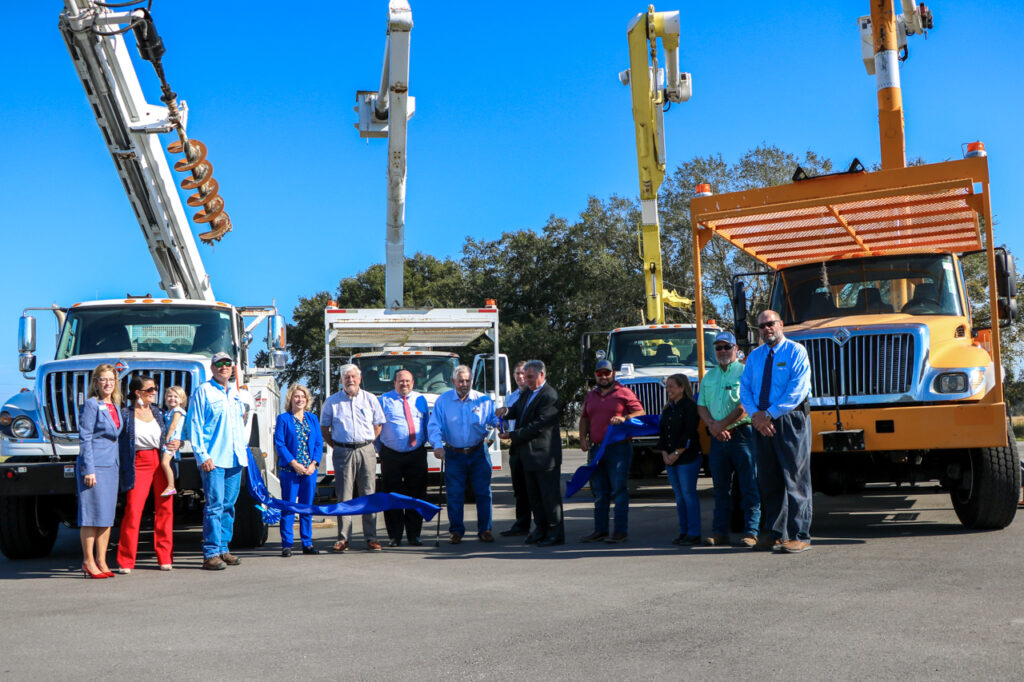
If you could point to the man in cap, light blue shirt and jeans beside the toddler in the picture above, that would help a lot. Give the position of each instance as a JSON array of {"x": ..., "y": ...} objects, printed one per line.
[{"x": 217, "y": 431}]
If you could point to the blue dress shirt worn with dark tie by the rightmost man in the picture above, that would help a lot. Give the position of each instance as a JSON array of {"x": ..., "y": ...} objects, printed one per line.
[{"x": 791, "y": 378}]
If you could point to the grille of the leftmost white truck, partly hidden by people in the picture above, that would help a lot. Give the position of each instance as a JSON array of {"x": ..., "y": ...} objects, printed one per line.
[{"x": 65, "y": 393}]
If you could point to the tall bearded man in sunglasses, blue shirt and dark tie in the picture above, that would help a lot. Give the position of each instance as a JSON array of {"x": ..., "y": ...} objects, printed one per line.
[{"x": 775, "y": 390}]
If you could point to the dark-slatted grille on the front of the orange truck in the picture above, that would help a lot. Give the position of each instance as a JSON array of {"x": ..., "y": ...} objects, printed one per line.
[{"x": 870, "y": 365}]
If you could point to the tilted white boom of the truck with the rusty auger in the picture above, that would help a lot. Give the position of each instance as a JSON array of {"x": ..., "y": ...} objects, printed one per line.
[{"x": 131, "y": 129}]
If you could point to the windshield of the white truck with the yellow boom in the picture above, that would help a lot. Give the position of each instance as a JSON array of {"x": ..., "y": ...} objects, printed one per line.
[{"x": 660, "y": 348}]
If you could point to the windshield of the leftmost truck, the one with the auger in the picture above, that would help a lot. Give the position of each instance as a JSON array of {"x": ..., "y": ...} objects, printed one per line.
[{"x": 153, "y": 329}]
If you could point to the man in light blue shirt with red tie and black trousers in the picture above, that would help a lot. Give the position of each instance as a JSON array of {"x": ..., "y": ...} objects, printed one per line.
[{"x": 404, "y": 455}]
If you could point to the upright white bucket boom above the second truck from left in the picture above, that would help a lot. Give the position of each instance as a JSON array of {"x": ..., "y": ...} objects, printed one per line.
[{"x": 386, "y": 113}]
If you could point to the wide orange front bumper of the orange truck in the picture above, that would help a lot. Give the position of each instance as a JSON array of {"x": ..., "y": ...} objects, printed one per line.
[{"x": 920, "y": 428}]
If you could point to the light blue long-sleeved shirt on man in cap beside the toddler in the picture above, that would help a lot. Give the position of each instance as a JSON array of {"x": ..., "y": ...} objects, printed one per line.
[{"x": 217, "y": 425}]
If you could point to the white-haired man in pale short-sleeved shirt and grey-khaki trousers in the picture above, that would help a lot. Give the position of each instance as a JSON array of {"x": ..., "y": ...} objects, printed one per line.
[{"x": 351, "y": 421}]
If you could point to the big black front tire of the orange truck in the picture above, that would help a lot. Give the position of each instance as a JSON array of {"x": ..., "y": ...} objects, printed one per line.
[{"x": 987, "y": 498}]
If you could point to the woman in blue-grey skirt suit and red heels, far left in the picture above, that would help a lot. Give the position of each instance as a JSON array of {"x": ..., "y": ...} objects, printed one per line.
[{"x": 97, "y": 468}]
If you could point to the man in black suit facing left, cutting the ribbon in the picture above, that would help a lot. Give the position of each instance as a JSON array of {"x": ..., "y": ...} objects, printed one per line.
[{"x": 539, "y": 446}]
